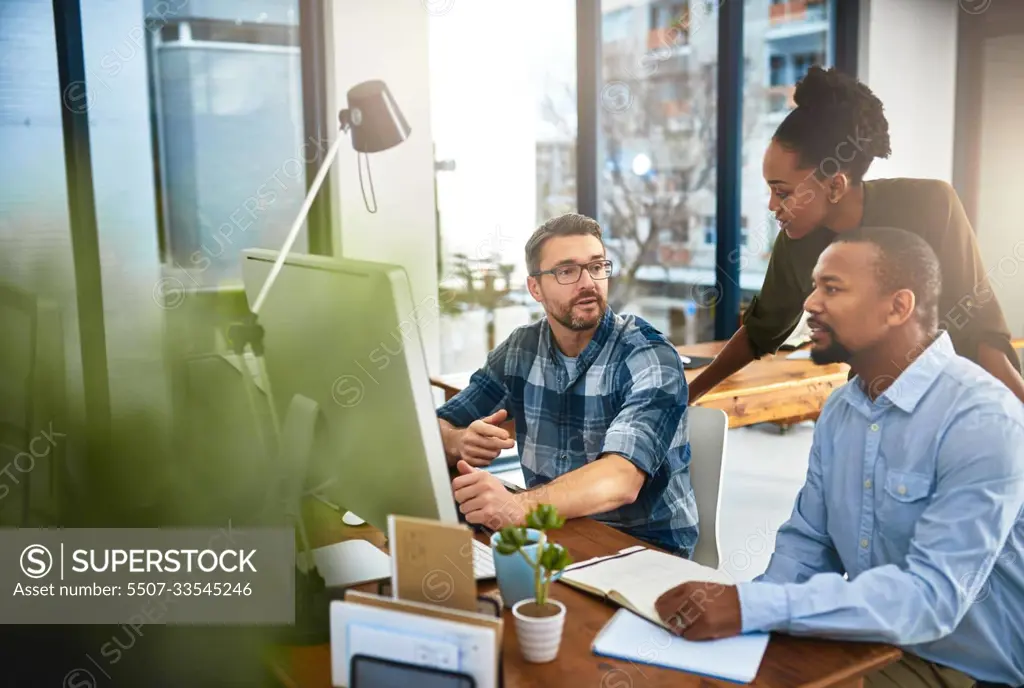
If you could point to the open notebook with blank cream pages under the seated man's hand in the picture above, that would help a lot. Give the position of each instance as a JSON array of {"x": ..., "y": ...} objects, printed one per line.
[{"x": 636, "y": 577}]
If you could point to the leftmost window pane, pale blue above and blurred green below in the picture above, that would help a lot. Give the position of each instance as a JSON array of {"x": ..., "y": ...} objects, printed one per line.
[{"x": 41, "y": 388}]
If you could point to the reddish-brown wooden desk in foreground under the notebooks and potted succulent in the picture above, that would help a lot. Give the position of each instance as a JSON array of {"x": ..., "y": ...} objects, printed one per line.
[{"x": 790, "y": 662}]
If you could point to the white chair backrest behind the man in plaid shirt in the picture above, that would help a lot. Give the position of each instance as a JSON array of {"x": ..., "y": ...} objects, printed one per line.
[{"x": 708, "y": 428}]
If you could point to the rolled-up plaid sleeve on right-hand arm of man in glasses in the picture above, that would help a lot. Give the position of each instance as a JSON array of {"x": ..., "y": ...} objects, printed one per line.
[{"x": 655, "y": 403}]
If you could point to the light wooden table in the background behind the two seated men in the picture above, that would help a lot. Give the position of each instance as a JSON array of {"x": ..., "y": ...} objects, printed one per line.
[{"x": 771, "y": 391}]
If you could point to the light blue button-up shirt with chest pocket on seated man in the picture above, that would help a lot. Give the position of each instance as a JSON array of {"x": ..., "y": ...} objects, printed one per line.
[{"x": 918, "y": 499}]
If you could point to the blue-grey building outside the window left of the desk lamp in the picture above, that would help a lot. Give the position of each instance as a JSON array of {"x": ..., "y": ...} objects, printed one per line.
[{"x": 226, "y": 79}]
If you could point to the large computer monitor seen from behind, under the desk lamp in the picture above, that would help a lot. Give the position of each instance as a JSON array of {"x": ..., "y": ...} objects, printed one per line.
[{"x": 346, "y": 334}]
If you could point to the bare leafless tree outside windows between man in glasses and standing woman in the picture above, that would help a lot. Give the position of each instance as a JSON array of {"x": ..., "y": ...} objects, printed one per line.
[{"x": 671, "y": 115}]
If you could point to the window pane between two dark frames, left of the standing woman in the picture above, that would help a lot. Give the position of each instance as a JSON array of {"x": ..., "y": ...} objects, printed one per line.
[{"x": 657, "y": 154}]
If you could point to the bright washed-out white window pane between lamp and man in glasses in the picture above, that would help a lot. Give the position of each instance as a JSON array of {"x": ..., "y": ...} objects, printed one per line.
[{"x": 505, "y": 143}]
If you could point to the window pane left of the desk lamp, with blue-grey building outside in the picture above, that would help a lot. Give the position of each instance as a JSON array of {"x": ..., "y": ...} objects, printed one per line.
[{"x": 223, "y": 87}]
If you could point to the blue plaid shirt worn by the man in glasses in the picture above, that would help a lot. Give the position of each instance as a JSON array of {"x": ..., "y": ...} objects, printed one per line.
[{"x": 628, "y": 397}]
